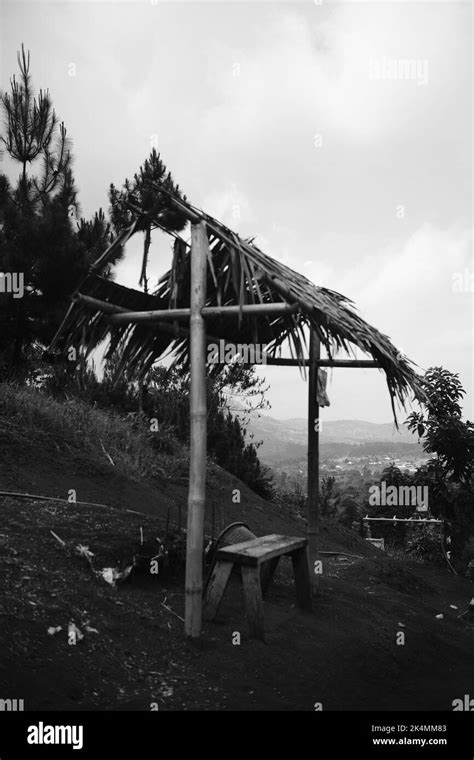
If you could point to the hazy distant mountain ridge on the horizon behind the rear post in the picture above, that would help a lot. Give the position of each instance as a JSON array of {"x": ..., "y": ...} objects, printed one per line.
[{"x": 286, "y": 440}]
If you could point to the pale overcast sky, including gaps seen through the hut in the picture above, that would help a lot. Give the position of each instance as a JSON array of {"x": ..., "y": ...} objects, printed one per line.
[{"x": 297, "y": 122}]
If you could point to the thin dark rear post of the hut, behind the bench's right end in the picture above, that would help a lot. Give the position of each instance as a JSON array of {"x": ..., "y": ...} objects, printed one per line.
[{"x": 313, "y": 460}]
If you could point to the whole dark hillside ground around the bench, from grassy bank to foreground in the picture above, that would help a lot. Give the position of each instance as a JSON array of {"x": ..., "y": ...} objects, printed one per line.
[{"x": 134, "y": 652}]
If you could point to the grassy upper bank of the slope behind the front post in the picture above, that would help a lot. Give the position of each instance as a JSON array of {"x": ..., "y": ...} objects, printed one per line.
[{"x": 39, "y": 455}]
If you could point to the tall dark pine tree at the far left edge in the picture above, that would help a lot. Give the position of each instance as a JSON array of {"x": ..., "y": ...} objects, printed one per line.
[{"x": 37, "y": 240}]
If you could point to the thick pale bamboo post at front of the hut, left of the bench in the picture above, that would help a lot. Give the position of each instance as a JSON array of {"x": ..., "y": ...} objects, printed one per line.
[{"x": 198, "y": 417}]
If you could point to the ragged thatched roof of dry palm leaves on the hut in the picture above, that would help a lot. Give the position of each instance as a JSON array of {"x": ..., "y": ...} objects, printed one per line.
[{"x": 238, "y": 273}]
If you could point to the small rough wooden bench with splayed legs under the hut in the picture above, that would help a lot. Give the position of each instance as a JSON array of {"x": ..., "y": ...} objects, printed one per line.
[{"x": 250, "y": 555}]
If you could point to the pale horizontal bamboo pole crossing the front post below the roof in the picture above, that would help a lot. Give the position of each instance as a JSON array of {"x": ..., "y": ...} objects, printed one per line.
[{"x": 259, "y": 309}]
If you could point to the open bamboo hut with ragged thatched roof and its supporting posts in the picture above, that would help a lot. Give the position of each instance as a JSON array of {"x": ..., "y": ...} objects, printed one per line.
[{"x": 222, "y": 287}]
